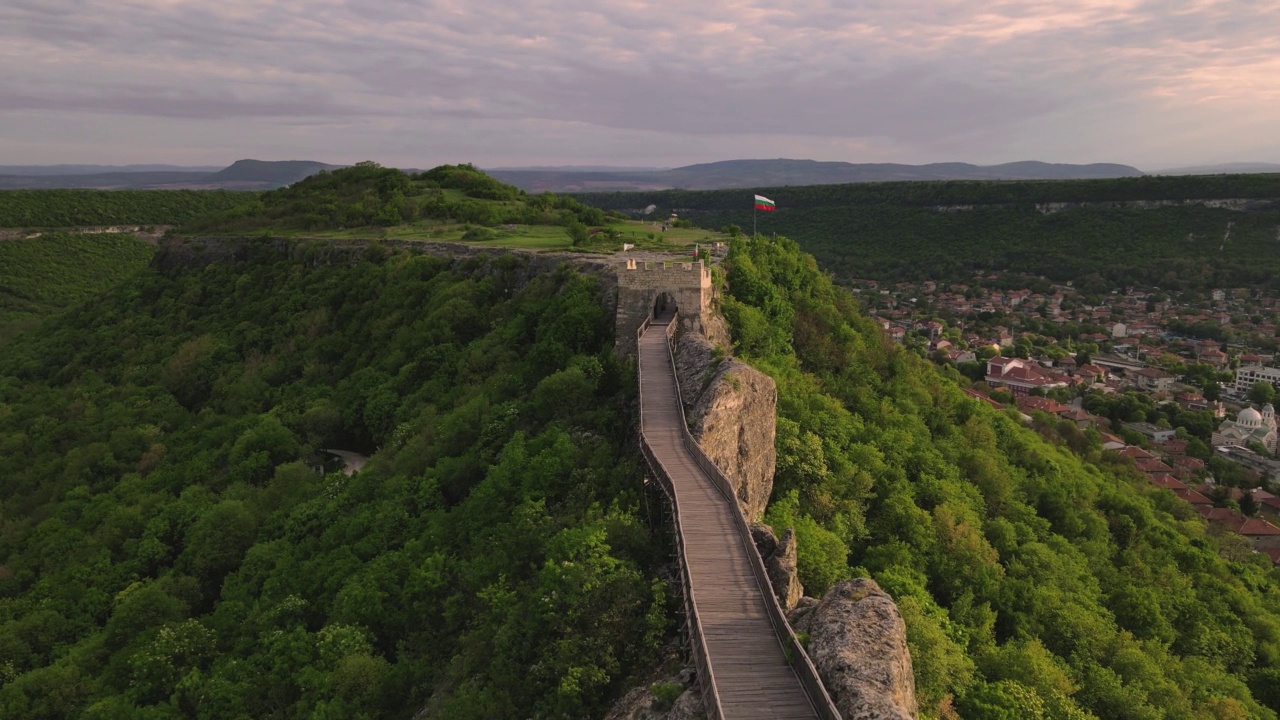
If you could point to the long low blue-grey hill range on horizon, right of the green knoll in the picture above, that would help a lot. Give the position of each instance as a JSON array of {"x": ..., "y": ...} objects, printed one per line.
[{"x": 762, "y": 174}]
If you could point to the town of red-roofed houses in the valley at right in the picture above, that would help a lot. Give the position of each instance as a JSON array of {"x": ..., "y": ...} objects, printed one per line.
[{"x": 1180, "y": 385}]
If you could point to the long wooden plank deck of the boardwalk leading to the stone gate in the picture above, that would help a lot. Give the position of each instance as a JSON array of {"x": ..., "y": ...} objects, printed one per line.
[{"x": 752, "y": 673}]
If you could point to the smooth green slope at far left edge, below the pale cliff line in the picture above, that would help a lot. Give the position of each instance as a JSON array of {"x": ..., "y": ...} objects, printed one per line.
[{"x": 43, "y": 276}]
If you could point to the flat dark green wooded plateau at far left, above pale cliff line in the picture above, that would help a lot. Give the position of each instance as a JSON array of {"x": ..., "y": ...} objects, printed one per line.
[{"x": 80, "y": 208}]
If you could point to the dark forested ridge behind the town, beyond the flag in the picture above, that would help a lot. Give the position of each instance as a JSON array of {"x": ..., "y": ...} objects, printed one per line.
[{"x": 1128, "y": 231}]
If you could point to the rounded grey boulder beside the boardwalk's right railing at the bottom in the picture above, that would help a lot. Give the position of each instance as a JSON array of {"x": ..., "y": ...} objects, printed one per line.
[{"x": 858, "y": 642}]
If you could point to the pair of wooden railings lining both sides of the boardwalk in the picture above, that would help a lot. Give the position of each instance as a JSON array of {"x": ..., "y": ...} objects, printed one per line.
[{"x": 787, "y": 637}]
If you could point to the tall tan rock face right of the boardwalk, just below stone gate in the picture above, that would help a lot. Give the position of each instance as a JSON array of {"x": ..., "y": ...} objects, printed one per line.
[{"x": 732, "y": 412}]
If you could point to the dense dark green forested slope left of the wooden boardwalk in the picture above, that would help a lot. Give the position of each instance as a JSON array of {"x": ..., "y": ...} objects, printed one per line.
[{"x": 170, "y": 552}]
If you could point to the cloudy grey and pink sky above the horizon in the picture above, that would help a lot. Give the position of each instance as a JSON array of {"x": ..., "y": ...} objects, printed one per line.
[{"x": 1154, "y": 84}]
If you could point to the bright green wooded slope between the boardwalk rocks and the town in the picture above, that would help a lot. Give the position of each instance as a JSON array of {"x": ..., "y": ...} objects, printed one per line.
[{"x": 1035, "y": 582}]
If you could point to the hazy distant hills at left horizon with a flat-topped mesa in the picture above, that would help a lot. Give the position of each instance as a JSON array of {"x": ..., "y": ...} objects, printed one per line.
[{"x": 243, "y": 175}]
